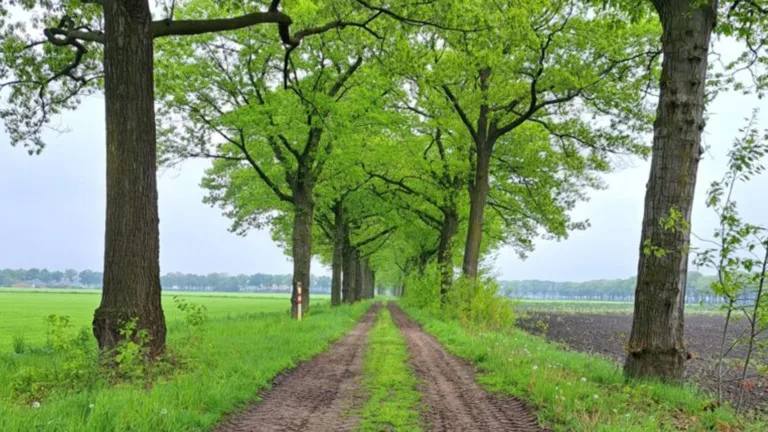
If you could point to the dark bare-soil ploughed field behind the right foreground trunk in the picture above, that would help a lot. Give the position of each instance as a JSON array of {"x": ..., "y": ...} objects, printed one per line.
[{"x": 608, "y": 334}]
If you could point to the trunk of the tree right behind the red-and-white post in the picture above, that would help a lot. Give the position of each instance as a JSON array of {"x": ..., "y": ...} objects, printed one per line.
[{"x": 302, "y": 246}]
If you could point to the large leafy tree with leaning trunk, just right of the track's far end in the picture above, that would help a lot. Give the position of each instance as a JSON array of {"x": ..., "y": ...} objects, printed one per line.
[{"x": 545, "y": 69}]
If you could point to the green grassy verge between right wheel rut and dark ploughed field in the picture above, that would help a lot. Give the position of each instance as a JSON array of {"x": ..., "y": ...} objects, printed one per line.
[{"x": 577, "y": 392}]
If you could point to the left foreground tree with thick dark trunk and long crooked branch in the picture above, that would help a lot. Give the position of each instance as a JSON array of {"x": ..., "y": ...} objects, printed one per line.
[{"x": 109, "y": 44}]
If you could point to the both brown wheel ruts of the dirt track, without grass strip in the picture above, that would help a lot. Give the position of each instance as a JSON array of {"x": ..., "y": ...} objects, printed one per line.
[{"x": 322, "y": 395}]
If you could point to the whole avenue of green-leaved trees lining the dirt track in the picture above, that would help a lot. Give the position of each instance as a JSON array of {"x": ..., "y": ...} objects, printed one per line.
[{"x": 384, "y": 137}]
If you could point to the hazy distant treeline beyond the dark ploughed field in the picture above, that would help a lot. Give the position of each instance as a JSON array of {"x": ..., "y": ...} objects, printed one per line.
[{"x": 698, "y": 289}]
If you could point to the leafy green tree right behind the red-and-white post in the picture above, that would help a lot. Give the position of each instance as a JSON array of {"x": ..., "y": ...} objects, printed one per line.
[{"x": 270, "y": 145}]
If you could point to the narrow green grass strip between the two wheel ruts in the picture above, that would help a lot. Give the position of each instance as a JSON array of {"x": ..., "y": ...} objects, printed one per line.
[{"x": 394, "y": 401}]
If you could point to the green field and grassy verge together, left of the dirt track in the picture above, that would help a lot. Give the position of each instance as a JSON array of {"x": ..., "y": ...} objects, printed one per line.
[{"x": 215, "y": 369}]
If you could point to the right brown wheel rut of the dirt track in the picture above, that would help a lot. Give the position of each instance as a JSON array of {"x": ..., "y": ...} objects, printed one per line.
[{"x": 453, "y": 400}]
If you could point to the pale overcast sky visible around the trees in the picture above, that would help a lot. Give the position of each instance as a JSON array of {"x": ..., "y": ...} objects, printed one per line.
[{"x": 52, "y": 210}]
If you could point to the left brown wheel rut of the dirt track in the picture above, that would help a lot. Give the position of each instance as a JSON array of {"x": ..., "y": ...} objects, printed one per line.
[{"x": 320, "y": 395}]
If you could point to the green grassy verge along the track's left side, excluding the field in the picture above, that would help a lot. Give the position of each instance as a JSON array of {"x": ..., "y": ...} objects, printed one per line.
[{"x": 239, "y": 356}]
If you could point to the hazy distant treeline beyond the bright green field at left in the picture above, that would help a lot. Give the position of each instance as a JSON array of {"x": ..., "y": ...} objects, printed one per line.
[{"x": 44, "y": 278}]
